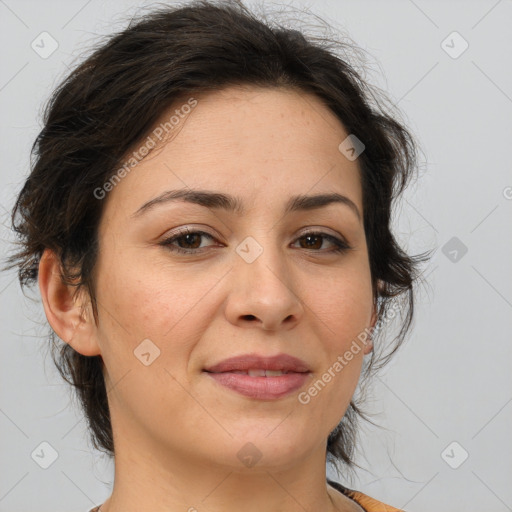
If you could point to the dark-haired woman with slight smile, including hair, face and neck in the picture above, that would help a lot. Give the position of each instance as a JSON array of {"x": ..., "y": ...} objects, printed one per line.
[{"x": 208, "y": 220}]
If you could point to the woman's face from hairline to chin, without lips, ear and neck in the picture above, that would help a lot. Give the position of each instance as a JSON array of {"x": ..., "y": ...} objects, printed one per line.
[{"x": 253, "y": 284}]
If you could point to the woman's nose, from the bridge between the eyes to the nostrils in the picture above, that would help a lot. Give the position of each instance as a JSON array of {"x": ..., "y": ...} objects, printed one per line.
[{"x": 264, "y": 293}]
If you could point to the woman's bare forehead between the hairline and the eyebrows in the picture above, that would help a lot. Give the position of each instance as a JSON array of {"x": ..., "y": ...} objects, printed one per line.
[{"x": 256, "y": 143}]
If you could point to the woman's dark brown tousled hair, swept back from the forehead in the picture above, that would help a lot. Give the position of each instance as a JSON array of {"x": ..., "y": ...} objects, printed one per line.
[{"x": 112, "y": 100}]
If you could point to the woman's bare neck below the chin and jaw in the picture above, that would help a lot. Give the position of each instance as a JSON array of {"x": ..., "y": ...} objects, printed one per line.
[{"x": 153, "y": 480}]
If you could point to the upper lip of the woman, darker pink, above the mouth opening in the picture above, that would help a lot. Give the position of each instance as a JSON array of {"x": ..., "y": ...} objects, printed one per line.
[{"x": 283, "y": 362}]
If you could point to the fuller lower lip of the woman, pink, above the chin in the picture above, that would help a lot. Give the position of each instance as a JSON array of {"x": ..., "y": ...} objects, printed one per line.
[{"x": 262, "y": 388}]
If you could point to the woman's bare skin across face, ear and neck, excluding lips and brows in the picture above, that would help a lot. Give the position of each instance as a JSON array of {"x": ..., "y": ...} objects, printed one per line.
[{"x": 177, "y": 432}]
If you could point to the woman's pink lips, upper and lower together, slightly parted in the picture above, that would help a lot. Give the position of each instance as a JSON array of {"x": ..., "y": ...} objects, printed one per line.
[{"x": 262, "y": 388}]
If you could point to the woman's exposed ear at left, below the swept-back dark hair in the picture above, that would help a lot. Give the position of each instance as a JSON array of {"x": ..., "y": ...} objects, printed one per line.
[{"x": 69, "y": 313}]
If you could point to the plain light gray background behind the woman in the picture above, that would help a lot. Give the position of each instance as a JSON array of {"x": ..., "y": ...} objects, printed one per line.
[{"x": 450, "y": 382}]
